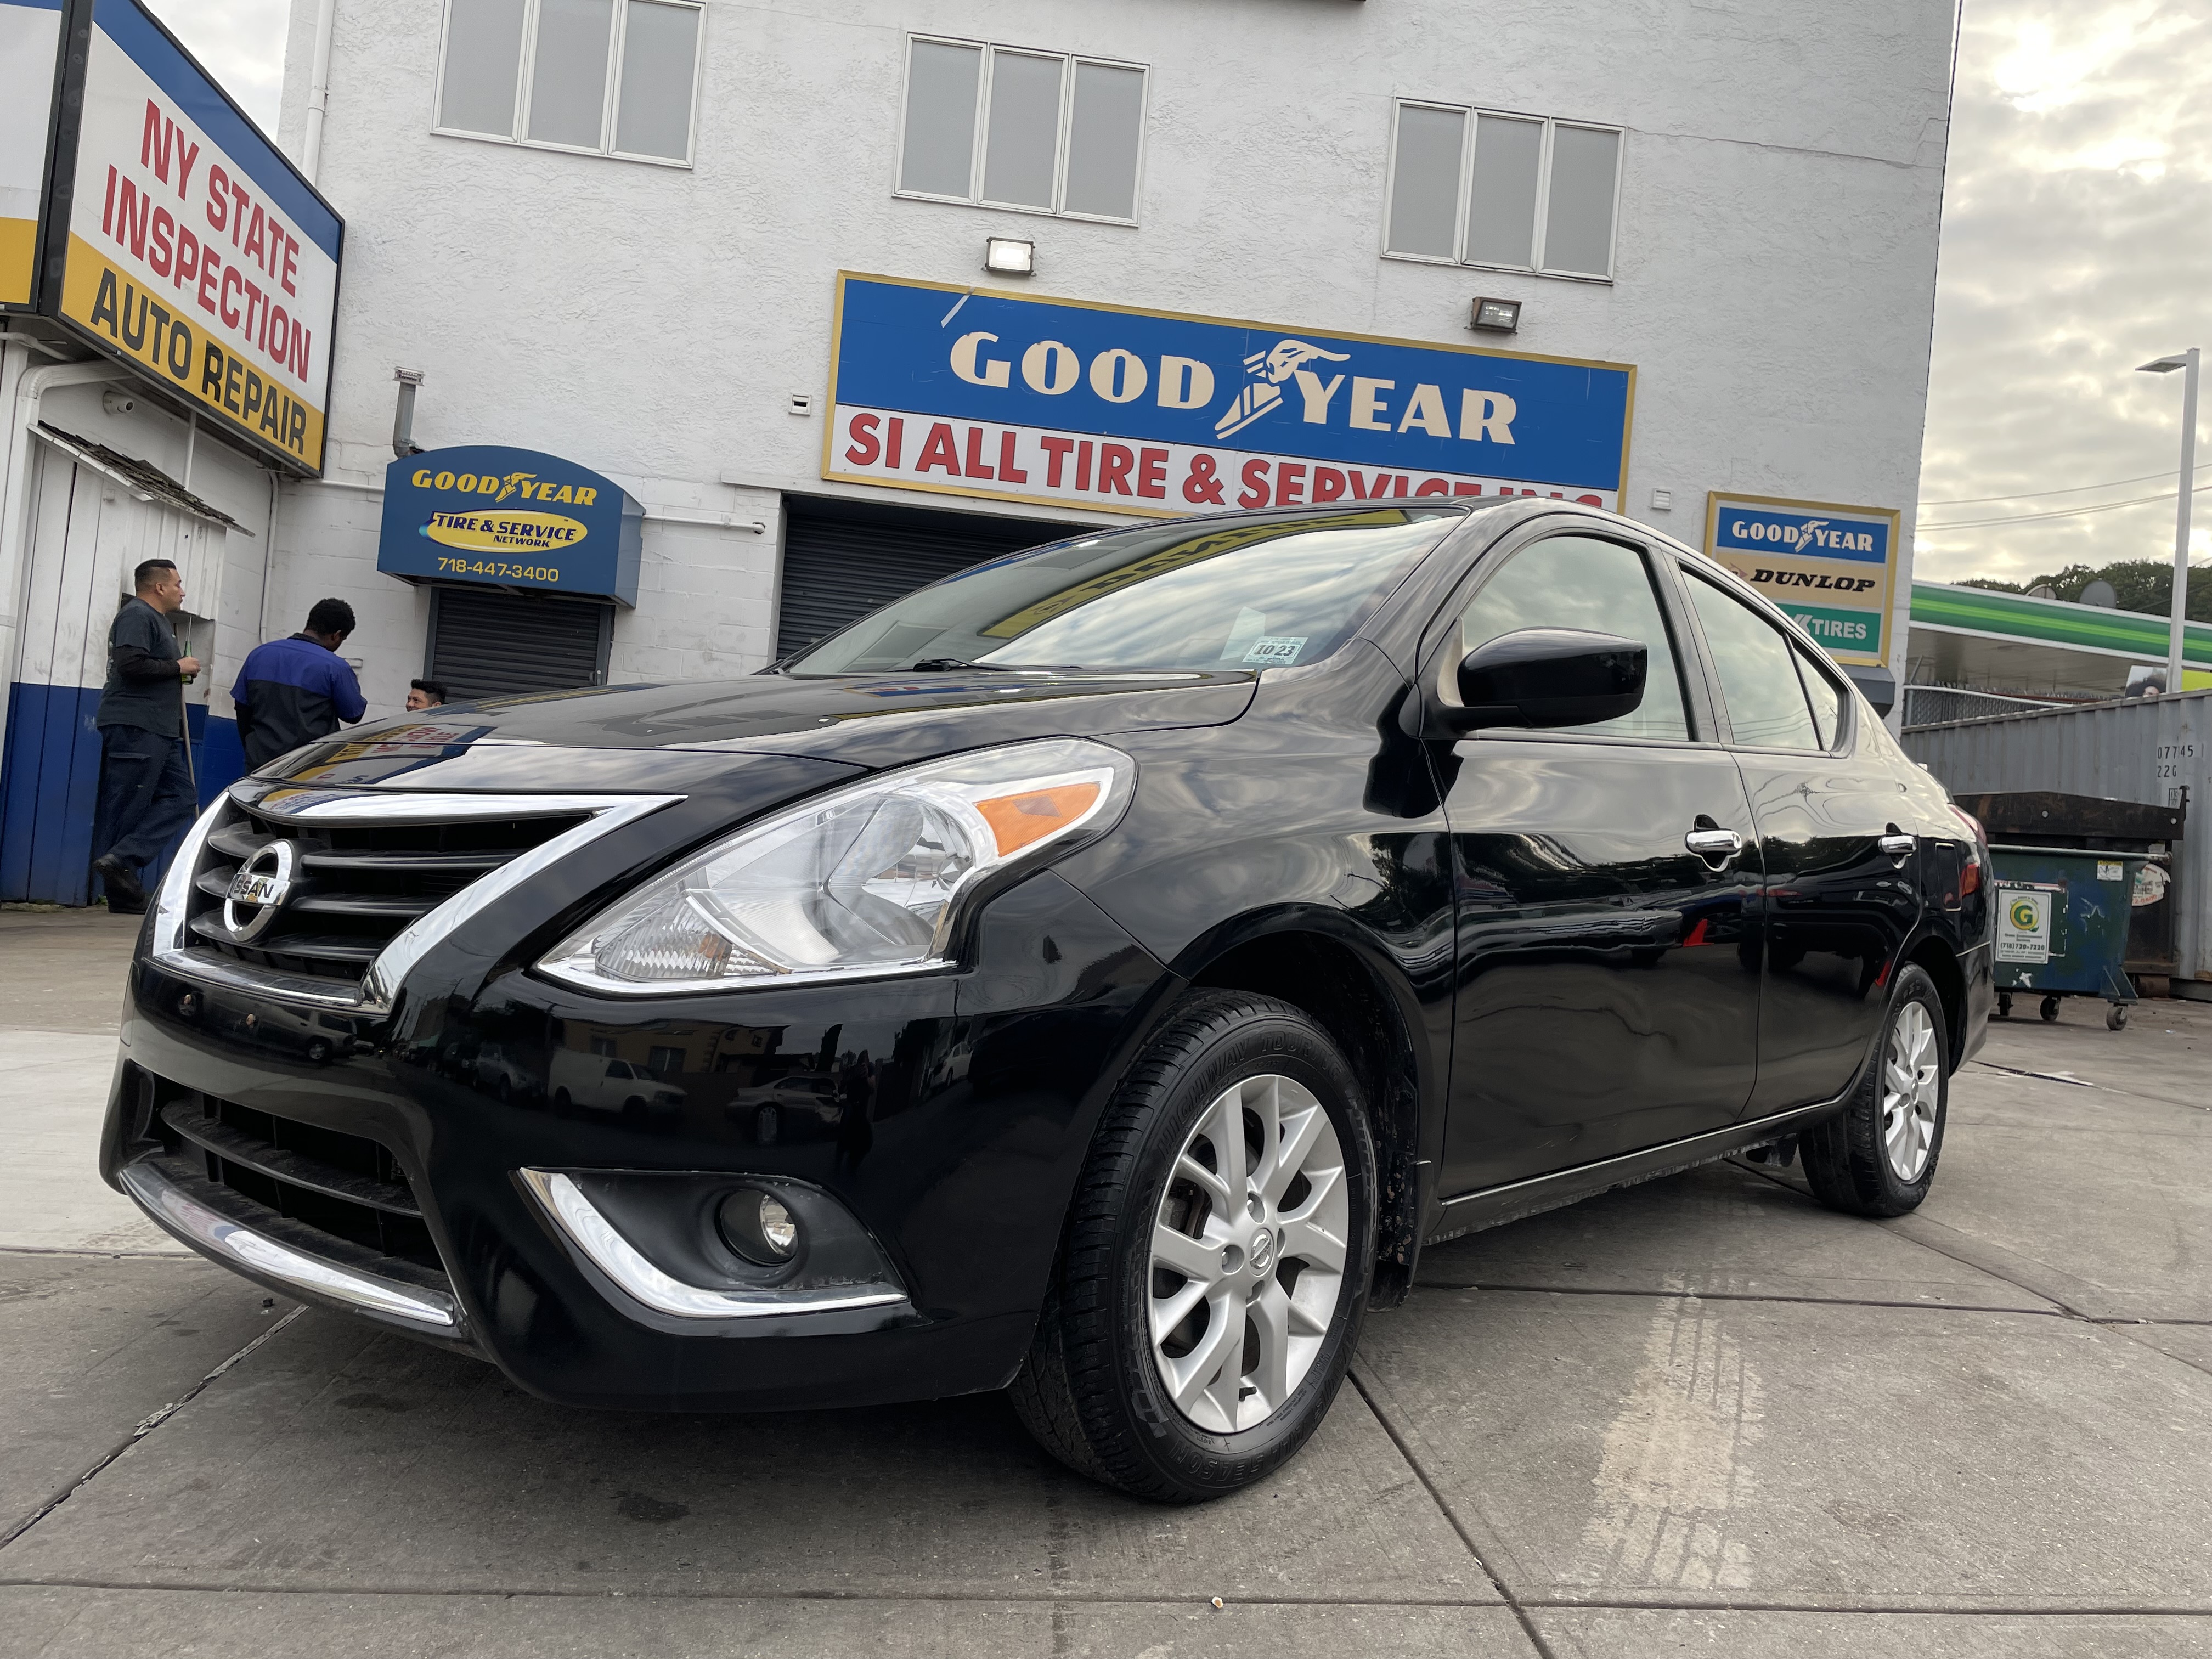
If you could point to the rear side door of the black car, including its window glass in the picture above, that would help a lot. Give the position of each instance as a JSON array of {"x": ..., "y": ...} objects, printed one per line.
[{"x": 1839, "y": 893}]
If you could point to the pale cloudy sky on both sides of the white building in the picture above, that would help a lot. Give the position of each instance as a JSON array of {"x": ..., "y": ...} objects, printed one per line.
[{"x": 2078, "y": 242}]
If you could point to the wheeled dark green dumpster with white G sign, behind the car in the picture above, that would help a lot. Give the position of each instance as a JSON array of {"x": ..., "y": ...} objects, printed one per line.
[{"x": 2063, "y": 926}]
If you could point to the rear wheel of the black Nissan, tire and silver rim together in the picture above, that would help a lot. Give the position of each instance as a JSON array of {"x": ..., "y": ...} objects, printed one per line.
[{"x": 1864, "y": 1160}]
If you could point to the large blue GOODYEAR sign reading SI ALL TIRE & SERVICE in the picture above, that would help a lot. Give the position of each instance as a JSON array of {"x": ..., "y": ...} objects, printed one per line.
[{"x": 1061, "y": 401}]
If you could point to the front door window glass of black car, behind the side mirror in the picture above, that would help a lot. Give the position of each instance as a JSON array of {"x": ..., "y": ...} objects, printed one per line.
[{"x": 1583, "y": 583}]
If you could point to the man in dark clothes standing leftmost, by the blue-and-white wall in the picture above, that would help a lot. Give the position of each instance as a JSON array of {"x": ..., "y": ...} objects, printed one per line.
[{"x": 145, "y": 773}]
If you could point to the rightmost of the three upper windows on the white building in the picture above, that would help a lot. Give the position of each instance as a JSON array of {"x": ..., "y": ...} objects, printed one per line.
[{"x": 1510, "y": 191}]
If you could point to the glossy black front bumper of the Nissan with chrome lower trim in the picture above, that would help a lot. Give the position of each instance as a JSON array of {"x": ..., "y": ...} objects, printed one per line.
[{"x": 948, "y": 1116}]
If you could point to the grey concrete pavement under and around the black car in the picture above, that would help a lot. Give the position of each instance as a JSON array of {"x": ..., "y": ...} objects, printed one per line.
[{"x": 1693, "y": 1417}]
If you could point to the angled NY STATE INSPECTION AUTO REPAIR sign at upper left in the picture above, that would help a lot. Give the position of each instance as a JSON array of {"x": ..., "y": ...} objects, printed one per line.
[{"x": 182, "y": 242}]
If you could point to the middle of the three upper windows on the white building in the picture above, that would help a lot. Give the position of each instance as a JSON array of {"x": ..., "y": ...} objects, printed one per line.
[{"x": 1005, "y": 127}]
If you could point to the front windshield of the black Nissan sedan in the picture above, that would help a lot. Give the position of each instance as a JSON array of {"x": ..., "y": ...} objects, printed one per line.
[{"x": 1269, "y": 594}]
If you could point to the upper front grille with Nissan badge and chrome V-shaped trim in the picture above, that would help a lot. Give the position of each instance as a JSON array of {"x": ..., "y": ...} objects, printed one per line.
[{"x": 371, "y": 879}]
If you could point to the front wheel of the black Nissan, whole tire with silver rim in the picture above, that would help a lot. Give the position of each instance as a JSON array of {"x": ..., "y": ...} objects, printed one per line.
[{"x": 1096, "y": 1390}]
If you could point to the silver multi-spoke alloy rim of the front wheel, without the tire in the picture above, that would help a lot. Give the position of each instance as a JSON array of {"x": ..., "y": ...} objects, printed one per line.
[{"x": 1249, "y": 1253}]
